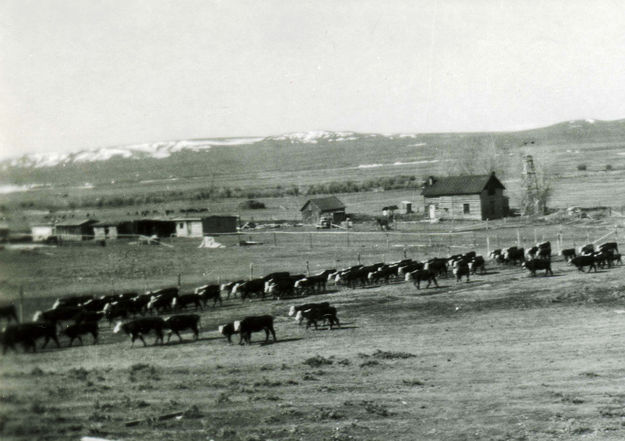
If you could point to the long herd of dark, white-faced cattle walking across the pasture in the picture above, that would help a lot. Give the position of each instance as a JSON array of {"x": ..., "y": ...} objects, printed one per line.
[{"x": 138, "y": 314}]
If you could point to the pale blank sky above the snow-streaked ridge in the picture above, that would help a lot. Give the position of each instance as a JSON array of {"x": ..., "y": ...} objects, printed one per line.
[{"x": 78, "y": 74}]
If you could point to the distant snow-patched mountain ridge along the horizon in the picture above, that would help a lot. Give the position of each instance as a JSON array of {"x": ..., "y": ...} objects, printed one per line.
[{"x": 290, "y": 151}]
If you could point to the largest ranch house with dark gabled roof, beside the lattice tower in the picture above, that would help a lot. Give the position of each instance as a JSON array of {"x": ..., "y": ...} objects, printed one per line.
[{"x": 465, "y": 197}]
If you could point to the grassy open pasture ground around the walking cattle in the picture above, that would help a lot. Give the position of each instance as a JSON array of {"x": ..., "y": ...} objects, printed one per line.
[{"x": 505, "y": 356}]
